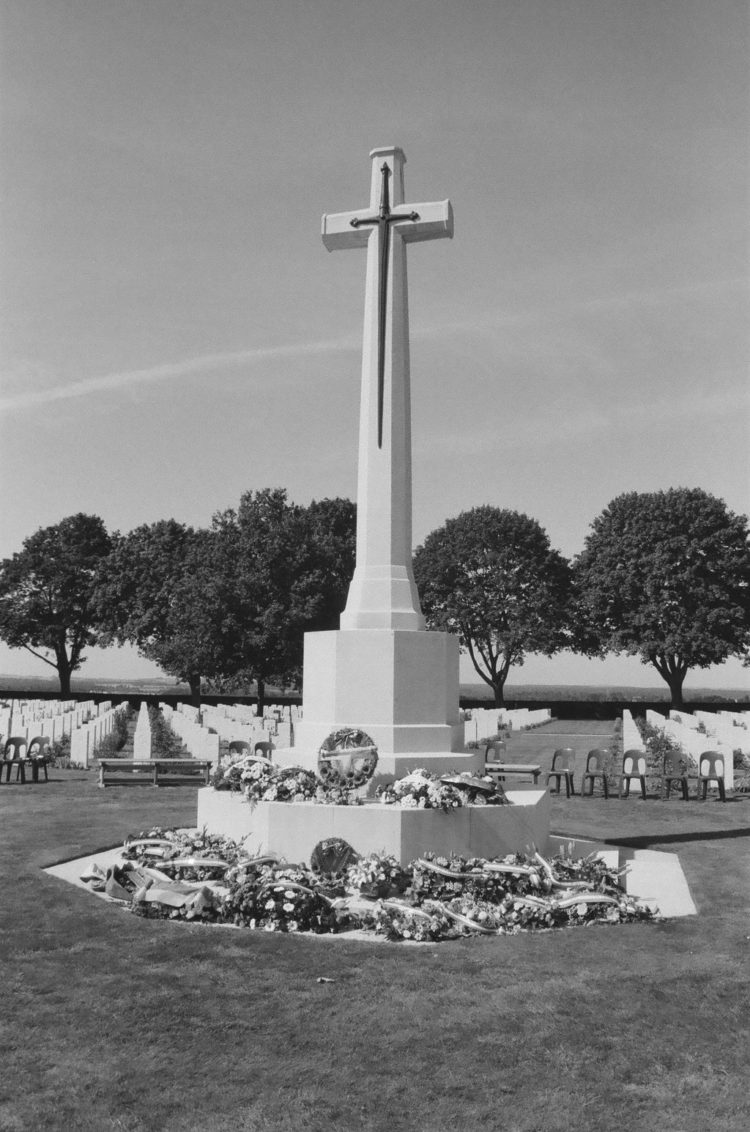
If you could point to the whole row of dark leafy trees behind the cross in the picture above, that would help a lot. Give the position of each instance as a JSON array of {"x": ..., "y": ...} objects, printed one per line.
[{"x": 663, "y": 576}]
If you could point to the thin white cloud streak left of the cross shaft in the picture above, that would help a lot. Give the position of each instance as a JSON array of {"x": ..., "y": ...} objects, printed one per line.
[{"x": 127, "y": 380}]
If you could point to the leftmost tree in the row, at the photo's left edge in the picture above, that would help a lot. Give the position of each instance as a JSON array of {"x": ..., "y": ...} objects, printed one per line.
[{"x": 46, "y": 594}]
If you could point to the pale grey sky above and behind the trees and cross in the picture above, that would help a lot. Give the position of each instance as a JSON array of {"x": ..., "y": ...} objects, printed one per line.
[{"x": 175, "y": 333}]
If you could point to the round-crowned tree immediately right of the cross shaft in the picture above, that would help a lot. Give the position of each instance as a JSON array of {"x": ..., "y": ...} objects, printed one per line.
[{"x": 492, "y": 577}]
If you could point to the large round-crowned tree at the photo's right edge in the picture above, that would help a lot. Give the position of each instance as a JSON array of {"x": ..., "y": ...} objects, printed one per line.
[{"x": 666, "y": 577}]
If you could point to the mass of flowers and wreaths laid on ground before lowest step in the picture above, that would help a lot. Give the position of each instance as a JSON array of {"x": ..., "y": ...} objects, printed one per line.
[{"x": 187, "y": 874}]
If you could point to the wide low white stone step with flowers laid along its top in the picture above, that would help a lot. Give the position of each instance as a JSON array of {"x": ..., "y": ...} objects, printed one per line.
[{"x": 292, "y": 830}]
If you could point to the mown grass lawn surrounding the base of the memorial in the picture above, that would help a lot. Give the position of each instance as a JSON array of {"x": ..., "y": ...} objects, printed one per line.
[{"x": 117, "y": 1023}]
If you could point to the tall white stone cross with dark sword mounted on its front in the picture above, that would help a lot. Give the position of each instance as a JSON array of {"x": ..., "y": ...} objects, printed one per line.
[{"x": 383, "y": 595}]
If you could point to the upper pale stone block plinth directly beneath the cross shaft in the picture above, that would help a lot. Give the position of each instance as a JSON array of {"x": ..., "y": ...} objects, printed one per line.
[{"x": 398, "y": 685}]
